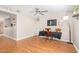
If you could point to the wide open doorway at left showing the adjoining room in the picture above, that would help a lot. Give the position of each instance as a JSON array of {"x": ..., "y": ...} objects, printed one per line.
[{"x": 7, "y": 24}]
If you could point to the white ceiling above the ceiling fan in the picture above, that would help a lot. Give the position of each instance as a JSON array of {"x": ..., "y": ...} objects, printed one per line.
[{"x": 30, "y": 8}]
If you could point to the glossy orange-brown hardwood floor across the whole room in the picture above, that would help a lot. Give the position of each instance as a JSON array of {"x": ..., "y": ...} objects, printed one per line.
[{"x": 35, "y": 45}]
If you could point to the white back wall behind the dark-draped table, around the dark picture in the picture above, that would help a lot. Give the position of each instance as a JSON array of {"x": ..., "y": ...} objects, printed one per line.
[{"x": 43, "y": 23}]
